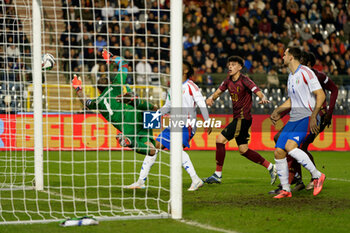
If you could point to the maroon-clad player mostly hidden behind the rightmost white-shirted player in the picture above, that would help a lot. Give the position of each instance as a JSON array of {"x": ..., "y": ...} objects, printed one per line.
[{"x": 295, "y": 176}]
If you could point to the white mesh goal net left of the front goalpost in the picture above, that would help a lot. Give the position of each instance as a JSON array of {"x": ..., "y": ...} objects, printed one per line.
[{"x": 84, "y": 168}]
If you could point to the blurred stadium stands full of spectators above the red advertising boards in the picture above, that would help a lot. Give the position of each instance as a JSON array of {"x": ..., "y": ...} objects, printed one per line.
[{"x": 75, "y": 32}]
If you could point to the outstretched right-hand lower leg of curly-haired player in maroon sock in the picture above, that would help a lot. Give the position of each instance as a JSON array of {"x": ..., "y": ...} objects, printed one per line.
[{"x": 257, "y": 158}]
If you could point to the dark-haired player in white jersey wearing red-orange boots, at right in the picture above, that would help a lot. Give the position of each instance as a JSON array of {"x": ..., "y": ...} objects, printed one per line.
[{"x": 305, "y": 100}]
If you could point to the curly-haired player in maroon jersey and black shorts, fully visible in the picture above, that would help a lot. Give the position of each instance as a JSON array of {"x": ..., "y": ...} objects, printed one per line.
[{"x": 241, "y": 88}]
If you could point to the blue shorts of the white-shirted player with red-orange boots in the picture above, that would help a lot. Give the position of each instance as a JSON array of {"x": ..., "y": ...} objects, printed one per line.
[{"x": 294, "y": 130}]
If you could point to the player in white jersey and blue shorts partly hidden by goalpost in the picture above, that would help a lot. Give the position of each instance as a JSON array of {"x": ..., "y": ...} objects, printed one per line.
[{"x": 191, "y": 98}]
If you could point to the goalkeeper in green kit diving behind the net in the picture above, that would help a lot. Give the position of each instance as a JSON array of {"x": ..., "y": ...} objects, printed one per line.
[{"x": 119, "y": 106}]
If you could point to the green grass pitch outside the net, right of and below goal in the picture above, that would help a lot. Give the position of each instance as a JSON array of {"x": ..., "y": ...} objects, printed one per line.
[{"x": 241, "y": 202}]
